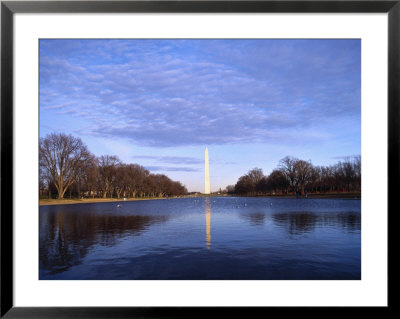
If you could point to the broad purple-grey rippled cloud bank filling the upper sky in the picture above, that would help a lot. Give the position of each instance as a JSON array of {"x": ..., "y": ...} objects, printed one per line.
[{"x": 196, "y": 92}]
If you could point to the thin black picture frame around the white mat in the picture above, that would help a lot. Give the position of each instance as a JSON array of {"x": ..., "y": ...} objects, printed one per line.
[{"x": 9, "y": 8}]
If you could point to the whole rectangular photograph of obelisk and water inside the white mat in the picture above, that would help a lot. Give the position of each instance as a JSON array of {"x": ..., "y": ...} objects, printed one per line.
[{"x": 199, "y": 159}]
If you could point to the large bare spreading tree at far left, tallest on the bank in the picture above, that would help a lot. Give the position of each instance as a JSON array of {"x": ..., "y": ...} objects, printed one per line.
[{"x": 62, "y": 157}]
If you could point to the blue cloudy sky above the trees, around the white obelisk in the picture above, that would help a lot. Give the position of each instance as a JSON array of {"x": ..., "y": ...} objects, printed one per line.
[{"x": 159, "y": 103}]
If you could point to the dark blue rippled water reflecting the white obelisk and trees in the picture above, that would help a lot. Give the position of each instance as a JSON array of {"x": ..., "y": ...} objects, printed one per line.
[{"x": 202, "y": 238}]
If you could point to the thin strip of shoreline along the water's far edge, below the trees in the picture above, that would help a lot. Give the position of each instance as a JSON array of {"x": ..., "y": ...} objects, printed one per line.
[{"x": 69, "y": 201}]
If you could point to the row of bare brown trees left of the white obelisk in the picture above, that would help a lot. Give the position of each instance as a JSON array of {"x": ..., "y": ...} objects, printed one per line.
[{"x": 67, "y": 167}]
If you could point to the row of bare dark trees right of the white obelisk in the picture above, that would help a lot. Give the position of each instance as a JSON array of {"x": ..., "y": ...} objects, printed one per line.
[{"x": 298, "y": 176}]
